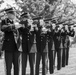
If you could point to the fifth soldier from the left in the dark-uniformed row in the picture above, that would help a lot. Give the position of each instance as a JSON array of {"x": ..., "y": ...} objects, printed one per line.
[{"x": 57, "y": 47}]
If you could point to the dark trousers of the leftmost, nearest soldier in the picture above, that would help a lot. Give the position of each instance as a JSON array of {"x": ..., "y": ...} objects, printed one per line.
[{"x": 12, "y": 58}]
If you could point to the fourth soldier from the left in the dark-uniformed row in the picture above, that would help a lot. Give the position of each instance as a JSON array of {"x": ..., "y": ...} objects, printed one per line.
[{"x": 51, "y": 48}]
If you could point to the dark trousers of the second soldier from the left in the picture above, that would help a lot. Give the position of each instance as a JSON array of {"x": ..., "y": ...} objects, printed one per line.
[{"x": 24, "y": 63}]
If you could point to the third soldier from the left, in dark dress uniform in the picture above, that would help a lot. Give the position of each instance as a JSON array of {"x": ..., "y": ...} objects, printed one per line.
[{"x": 41, "y": 44}]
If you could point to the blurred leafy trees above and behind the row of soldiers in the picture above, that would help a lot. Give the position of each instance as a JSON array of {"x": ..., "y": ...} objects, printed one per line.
[{"x": 61, "y": 10}]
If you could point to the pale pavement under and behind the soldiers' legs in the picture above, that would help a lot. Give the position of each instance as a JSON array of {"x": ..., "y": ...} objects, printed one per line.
[{"x": 68, "y": 70}]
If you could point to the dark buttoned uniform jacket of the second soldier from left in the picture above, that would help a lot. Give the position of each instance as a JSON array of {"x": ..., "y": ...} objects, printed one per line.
[{"x": 28, "y": 40}]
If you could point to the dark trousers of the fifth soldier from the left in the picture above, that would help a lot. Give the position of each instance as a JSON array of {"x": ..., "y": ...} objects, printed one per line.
[{"x": 58, "y": 51}]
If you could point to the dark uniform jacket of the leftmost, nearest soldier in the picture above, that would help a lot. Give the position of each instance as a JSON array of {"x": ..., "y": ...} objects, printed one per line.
[{"x": 9, "y": 41}]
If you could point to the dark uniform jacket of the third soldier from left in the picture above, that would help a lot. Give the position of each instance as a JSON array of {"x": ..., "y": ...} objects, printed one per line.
[{"x": 41, "y": 42}]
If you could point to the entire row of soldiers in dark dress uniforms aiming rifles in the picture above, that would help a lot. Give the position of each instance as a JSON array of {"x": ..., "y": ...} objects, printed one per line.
[{"x": 37, "y": 38}]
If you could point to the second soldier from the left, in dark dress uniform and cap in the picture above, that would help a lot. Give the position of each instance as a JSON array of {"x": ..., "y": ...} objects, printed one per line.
[{"x": 28, "y": 44}]
